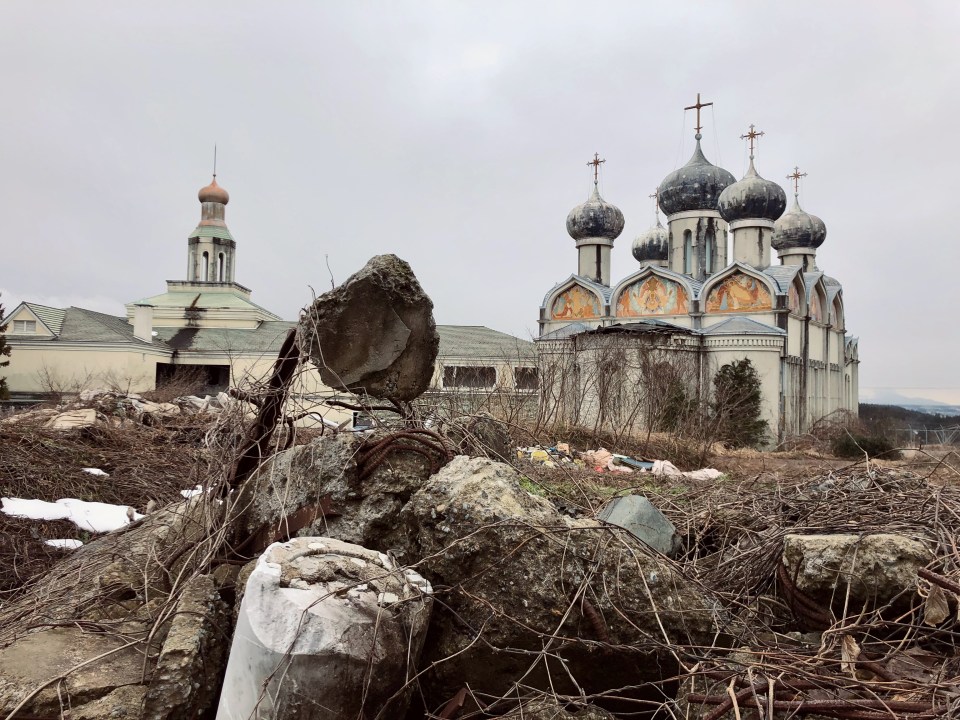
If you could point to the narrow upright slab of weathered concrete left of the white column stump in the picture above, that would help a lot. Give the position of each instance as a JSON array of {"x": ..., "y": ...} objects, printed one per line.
[{"x": 187, "y": 677}]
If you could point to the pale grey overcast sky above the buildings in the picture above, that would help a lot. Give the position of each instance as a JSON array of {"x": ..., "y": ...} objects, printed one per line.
[{"x": 457, "y": 134}]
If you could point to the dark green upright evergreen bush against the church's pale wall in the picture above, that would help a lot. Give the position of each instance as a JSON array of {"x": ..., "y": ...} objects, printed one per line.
[{"x": 737, "y": 405}]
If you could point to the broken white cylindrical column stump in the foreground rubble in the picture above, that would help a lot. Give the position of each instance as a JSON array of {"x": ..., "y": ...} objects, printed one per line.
[{"x": 326, "y": 630}]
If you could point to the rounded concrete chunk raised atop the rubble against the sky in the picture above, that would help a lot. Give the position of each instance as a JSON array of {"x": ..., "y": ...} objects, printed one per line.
[{"x": 375, "y": 334}]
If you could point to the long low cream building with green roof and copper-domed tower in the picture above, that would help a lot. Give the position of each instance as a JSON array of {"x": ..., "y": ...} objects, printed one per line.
[{"x": 208, "y": 326}]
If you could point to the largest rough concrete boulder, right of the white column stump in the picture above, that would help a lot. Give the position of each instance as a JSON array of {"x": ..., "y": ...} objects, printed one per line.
[{"x": 527, "y": 586}]
